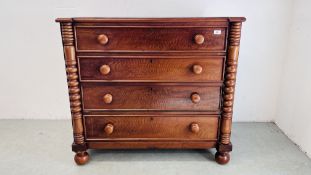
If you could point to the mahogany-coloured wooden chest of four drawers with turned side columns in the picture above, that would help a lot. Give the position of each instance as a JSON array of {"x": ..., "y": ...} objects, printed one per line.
[{"x": 139, "y": 83}]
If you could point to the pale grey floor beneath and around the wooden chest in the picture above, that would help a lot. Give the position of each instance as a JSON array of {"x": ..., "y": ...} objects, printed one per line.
[{"x": 43, "y": 147}]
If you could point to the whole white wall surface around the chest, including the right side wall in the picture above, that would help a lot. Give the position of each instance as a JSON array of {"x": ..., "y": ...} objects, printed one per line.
[{"x": 273, "y": 78}]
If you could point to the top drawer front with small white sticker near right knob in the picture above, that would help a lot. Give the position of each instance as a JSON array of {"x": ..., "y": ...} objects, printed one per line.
[{"x": 104, "y": 39}]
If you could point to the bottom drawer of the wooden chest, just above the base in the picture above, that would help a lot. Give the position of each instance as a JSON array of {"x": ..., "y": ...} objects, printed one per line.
[{"x": 151, "y": 127}]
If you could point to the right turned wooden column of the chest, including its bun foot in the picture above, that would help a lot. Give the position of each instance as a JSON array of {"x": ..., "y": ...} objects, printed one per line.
[{"x": 224, "y": 145}]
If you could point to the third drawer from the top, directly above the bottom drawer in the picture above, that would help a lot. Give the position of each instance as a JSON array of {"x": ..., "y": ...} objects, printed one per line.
[{"x": 97, "y": 96}]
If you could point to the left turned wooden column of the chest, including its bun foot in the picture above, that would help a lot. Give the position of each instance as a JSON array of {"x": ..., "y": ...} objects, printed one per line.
[{"x": 78, "y": 145}]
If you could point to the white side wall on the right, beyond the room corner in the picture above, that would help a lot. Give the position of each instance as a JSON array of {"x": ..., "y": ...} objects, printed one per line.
[{"x": 293, "y": 111}]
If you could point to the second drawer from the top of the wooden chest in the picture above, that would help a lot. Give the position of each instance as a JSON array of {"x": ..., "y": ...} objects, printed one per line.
[{"x": 167, "y": 69}]
